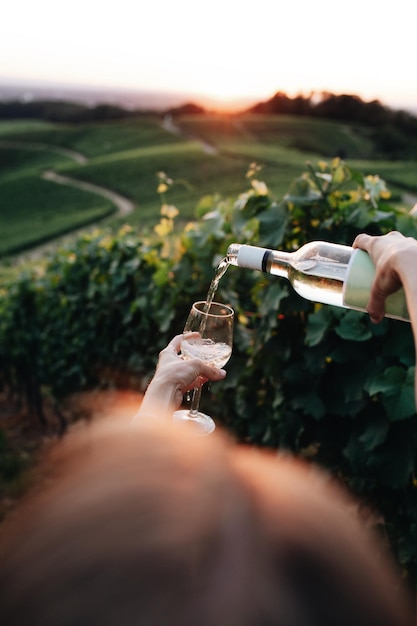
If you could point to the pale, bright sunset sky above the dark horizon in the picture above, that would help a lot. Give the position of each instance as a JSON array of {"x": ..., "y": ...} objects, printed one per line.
[{"x": 227, "y": 50}]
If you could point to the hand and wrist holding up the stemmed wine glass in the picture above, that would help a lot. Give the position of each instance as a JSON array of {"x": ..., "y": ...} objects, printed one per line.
[{"x": 173, "y": 377}]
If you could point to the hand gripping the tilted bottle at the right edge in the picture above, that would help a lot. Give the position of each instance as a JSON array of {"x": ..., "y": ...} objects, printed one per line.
[{"x": 395, "y": 260}]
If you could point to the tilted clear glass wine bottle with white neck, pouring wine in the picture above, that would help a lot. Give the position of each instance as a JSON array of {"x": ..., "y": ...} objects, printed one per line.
[{"x": 324, "y": 272}]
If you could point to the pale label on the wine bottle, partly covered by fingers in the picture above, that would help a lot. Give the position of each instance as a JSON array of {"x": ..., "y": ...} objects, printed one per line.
[{"x": 357, "y": 287}]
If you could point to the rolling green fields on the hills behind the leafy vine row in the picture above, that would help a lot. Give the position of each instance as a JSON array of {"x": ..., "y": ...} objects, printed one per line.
[{"x": 125, "y": 156}]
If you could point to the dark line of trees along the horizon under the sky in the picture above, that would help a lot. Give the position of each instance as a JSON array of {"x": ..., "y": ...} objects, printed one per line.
[{"x": 394, "y": 132}]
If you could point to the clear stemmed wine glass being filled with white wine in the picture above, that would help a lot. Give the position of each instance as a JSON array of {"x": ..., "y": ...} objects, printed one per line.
[{"x": 214, "y": 324}]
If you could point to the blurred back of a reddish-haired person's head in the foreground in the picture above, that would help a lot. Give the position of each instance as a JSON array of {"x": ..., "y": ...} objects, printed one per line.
[{"x": 149, "y": 525}]
